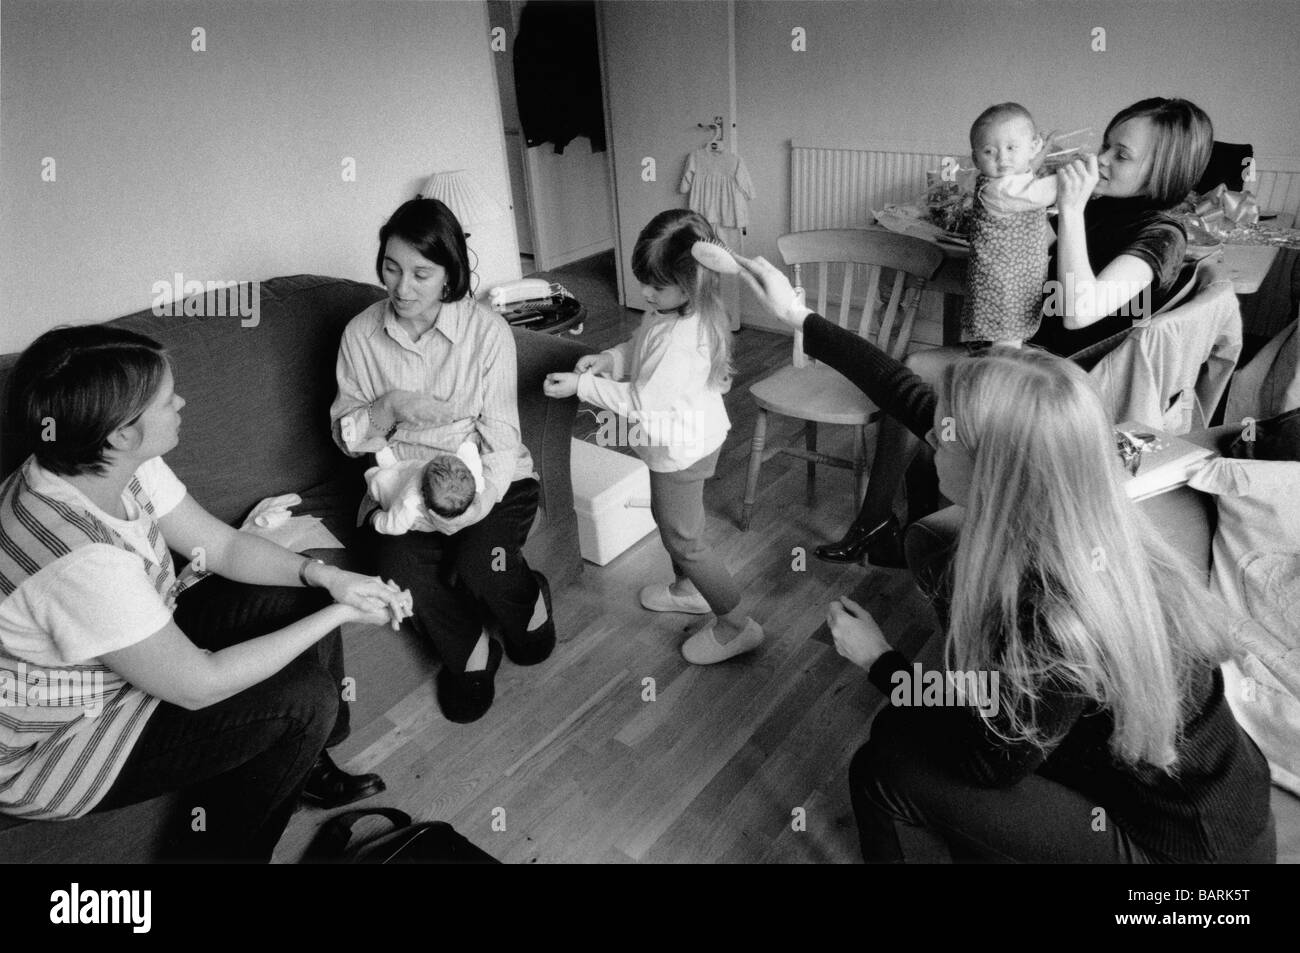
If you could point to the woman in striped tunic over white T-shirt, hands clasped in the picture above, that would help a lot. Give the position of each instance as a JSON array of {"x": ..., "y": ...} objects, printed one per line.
[{"x": 228, "y": 691}]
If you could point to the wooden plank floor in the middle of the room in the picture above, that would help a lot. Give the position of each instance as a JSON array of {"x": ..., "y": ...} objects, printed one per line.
[{"x": 616, "y": 750}]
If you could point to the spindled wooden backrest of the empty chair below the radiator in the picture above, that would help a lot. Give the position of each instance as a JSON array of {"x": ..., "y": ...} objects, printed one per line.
[{"x": 890, "y": 304}]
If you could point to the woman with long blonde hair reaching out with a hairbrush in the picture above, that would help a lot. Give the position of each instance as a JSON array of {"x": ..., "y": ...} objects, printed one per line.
[{"x": 1090, "y": 721}]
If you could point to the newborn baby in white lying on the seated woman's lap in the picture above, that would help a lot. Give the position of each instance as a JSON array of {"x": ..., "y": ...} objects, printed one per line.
[{"x": 424, "y": 496}]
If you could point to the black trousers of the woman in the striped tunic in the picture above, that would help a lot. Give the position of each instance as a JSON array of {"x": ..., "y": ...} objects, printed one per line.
[{"x": 240, "y": 764}]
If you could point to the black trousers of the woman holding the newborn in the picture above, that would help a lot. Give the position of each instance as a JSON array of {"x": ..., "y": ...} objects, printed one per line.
[{"x": 462, "y": 582}]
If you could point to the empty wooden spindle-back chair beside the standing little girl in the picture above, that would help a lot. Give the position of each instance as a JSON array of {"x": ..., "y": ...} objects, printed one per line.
[{"x": 816, "y": 393}]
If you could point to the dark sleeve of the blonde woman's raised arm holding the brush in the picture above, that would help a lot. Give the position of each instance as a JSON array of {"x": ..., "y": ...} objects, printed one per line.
[{"x": 886, "y": 382}]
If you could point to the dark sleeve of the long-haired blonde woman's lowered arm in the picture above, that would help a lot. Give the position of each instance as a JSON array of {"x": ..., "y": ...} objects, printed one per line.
[{"x": 960, "y": 735}]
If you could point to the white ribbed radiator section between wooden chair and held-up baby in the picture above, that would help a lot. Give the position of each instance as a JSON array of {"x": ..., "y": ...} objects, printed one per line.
[{"x": 840, "y": 188}]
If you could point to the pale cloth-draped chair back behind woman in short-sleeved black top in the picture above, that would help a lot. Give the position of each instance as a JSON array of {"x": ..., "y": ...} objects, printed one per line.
[{"x": 1172, "y": 371}]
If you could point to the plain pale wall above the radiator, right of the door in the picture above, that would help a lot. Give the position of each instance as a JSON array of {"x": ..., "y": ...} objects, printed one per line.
[{"x": 904, "y": 71}]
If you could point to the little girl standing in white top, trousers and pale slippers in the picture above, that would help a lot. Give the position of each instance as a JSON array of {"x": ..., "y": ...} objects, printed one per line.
[{"x": 669, "y": 382}]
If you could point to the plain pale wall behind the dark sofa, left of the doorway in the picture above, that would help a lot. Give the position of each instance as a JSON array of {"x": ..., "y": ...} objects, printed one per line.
[{"x": 227, "y": 164}]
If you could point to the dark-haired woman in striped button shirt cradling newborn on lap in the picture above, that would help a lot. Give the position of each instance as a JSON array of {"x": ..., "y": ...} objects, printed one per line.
[{"x": 422, "y": 372}]
